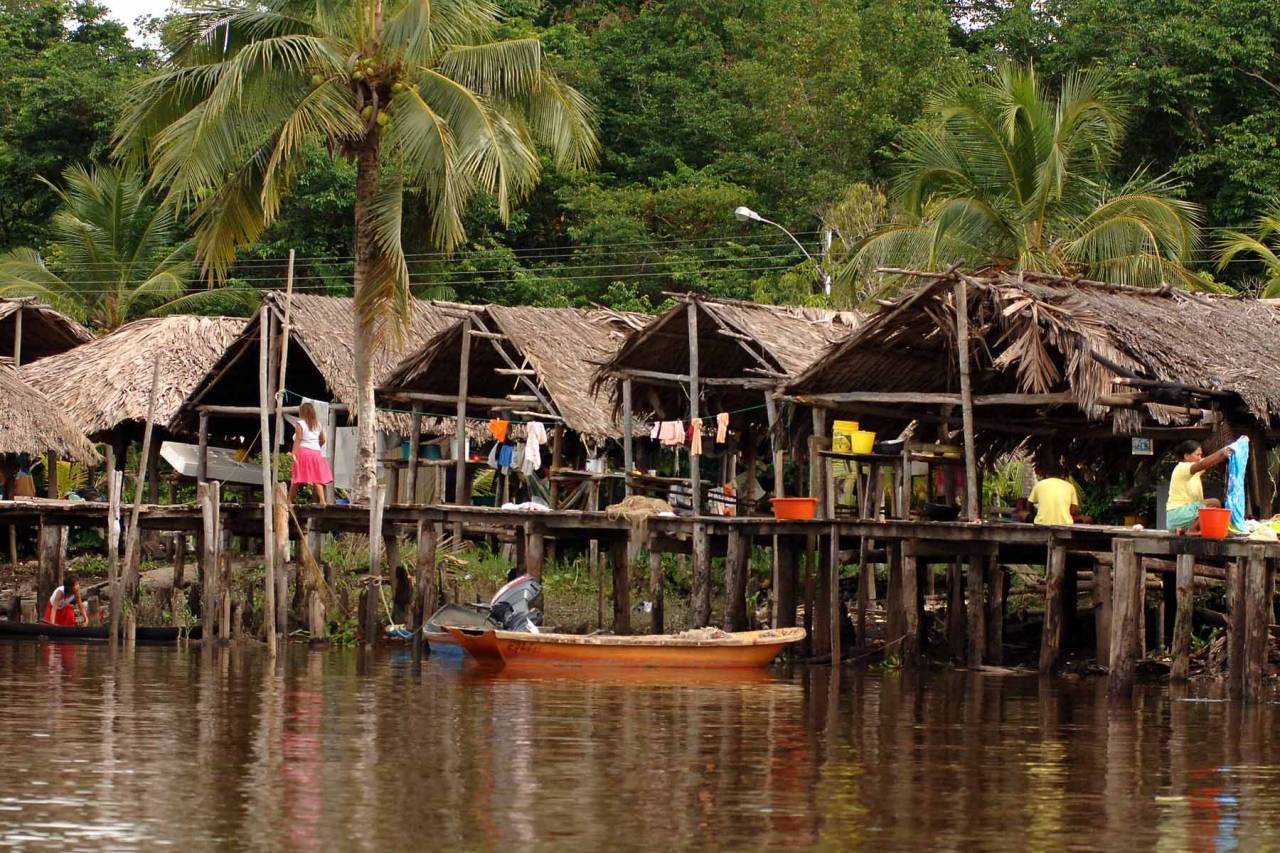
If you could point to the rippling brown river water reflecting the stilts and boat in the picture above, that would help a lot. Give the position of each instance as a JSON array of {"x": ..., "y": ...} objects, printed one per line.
[{"x": 202, "y": 750}]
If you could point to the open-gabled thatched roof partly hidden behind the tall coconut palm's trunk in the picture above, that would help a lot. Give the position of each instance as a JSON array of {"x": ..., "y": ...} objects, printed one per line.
[{"x": 322, "y": 362}]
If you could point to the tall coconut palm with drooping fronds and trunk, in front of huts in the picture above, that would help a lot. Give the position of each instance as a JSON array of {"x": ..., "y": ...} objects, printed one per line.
[{"x": 418, "y": 93}]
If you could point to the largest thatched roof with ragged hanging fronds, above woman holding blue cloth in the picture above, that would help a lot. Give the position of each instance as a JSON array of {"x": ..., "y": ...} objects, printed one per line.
[{"x": 1104, "y": 350}]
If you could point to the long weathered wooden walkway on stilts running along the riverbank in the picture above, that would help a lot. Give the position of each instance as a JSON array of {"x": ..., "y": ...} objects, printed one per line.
[{"x": 808, "y": 568}]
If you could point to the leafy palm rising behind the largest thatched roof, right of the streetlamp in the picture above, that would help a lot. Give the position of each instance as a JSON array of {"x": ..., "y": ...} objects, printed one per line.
[{"x": 1008, "y": 176}]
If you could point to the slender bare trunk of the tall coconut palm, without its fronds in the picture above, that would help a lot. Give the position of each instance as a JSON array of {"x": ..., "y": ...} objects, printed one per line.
[{"x": 367, "y": 262}]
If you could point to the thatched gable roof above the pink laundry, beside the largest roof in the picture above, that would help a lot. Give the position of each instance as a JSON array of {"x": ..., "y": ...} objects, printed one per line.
[{"x": 757, "y": 346}]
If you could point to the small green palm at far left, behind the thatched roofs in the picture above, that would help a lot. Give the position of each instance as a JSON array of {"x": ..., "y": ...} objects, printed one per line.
[{"x": 116, "y": 254}]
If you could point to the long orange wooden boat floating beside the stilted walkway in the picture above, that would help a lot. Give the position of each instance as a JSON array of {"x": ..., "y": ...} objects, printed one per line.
[{"x": 691, "y": 651}]
